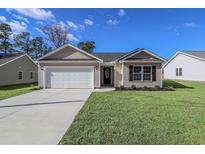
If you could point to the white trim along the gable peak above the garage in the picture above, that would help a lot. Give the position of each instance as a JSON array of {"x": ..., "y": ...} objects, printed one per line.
[{"x": 69, "y": 45}]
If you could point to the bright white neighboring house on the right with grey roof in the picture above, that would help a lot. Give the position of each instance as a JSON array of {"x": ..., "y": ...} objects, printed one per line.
[{"x": 186, "y": 65}]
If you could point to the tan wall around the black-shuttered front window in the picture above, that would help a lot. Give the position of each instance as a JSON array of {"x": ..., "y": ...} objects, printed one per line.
[{"x": 153, "y": 84}]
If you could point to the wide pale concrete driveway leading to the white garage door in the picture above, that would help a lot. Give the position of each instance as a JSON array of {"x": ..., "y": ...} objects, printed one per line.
[{"x": 40, "y": 117}]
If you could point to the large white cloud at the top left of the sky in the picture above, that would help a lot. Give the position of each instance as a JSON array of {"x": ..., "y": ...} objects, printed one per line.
[{"x": 35, "y": 13}]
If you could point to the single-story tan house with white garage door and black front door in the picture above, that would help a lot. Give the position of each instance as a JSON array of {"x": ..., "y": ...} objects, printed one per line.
[{"x": 71, "y": 67}]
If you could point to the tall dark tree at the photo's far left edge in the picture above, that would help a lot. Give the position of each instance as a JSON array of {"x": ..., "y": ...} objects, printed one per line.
[{"x": 5, "y": 32}]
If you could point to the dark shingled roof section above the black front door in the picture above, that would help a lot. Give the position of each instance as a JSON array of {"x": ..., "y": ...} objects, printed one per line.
[{"x": 109, "y": 57}]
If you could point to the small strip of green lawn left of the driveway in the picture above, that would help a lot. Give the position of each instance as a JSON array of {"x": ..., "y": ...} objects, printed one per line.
[{"x": 10, "y": 91}]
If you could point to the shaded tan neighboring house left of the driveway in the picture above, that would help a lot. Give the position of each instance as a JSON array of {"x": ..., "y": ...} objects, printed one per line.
[{"x": 17, "y": 69}]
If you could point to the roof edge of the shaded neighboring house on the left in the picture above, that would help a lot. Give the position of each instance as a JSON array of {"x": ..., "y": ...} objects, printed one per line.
[{"x": 13, "y": 57}]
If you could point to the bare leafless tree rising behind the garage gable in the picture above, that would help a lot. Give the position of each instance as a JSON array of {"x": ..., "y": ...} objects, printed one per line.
[{"x": 57, "y": 34}]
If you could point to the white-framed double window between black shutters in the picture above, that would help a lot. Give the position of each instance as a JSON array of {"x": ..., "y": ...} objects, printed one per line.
[{"x": 142, "y": 73}]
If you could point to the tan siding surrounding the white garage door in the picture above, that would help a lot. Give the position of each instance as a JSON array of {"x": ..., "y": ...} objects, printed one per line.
[{"x": 96, "y": 71}]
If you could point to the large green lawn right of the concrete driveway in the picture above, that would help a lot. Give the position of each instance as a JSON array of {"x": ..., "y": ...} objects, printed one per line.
[{"x": 142, "y": 117}]
